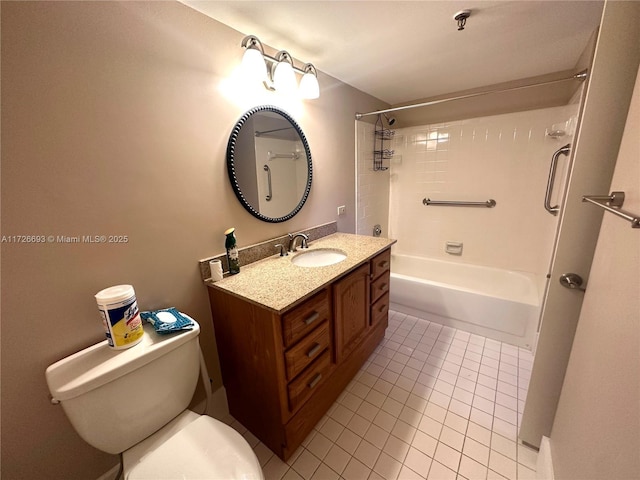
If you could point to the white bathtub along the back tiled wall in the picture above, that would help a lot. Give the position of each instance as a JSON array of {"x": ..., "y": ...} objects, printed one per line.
[{"x": 499, "y": 304}]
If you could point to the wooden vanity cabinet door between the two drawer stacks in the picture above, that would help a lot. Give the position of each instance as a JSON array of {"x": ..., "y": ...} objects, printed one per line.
[{"x": 351, "y": 309}]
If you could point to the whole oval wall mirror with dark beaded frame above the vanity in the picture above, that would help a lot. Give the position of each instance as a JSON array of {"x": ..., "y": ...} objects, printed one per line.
[{"x": 269, "y": 164}]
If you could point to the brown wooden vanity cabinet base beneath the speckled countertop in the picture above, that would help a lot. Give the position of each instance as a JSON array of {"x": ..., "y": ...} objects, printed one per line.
[{"x": 282, "y": 371}]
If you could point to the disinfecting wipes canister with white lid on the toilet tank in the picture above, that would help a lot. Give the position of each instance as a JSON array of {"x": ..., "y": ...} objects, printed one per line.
[{"x": 120, "y": 316}]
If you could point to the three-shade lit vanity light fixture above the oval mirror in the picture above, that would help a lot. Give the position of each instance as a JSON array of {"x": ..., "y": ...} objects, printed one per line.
[{"x": 281, "y": 75}]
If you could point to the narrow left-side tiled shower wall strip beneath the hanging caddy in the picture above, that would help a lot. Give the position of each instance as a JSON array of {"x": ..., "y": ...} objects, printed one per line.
[{"x": 372, "y": 189}]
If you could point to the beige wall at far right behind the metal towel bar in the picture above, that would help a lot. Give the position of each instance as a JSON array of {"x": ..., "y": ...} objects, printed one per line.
[{"x": 596, "y": 432}]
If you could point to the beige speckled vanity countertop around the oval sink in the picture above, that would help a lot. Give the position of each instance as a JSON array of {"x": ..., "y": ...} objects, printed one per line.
[{"x": 276, "y": 283}]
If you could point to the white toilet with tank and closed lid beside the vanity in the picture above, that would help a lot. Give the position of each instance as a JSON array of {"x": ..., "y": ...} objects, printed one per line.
[{"x": 134, "y": 402}]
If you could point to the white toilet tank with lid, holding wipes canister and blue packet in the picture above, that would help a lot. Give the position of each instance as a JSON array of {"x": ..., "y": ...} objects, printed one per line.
[{"x": 116, "y": 398}]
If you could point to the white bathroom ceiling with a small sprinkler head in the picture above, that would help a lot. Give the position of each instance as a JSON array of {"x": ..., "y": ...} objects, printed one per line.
[{"x": 400, "y": 51}]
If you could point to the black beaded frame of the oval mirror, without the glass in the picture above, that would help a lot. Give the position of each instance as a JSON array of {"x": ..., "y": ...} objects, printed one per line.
[{"x": 231, "y": 170}]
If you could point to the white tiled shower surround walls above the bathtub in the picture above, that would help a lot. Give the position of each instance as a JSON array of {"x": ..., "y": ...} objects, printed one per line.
[{"x": 502, "y": 157}]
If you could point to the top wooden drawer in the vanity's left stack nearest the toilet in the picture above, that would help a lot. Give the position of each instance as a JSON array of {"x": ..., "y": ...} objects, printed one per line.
[{"x": 305, "y": 317}]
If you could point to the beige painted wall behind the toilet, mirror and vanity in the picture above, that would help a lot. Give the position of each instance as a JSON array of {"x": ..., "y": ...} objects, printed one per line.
[{"x": 115, "y": 119}]
